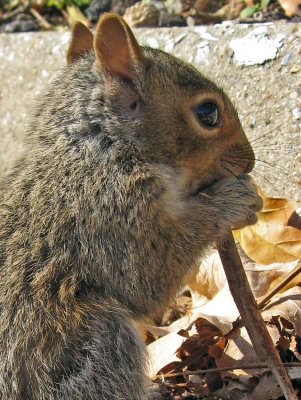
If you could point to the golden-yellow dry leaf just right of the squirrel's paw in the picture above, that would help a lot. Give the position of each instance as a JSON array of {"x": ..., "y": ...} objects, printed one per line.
[{"x": 272, "y": 239}]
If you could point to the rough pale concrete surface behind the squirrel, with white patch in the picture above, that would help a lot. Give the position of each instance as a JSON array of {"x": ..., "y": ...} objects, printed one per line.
[{"x": 259, "y": 66}]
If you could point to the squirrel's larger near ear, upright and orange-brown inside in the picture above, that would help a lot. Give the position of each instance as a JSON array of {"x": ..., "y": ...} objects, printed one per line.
[{"x": 117, "y": 51}]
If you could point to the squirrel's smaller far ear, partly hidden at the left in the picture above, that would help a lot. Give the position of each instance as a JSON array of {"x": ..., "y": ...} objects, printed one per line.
[{"x": 81, "y": 42}]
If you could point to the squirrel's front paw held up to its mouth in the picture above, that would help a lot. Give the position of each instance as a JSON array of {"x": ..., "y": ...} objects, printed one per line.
[{"x": 238, "y": 201}]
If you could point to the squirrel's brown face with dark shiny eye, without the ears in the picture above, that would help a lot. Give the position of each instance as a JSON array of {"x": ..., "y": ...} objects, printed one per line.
[{"x": 190, "y": 123}]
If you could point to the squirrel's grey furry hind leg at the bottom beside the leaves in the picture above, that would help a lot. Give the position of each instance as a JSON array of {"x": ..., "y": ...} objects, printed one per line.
[{"x": 113, "y": 364}]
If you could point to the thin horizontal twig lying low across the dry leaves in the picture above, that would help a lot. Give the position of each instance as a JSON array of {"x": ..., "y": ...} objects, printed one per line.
[{"x": 225, "y": 369}]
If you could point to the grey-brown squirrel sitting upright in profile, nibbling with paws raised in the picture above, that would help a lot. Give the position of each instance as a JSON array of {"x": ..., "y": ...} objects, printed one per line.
[{"x": 133, "y": 166}]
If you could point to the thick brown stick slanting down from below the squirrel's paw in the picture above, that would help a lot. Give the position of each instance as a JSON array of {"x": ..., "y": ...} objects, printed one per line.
[{"x": 250, "y": 314}]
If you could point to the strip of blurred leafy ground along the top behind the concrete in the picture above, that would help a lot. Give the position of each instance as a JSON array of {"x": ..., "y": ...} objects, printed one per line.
[{"x": 32, "y": 15}]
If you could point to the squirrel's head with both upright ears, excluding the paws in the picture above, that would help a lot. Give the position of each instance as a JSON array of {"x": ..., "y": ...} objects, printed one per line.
[{"x": 174, "y": 115}]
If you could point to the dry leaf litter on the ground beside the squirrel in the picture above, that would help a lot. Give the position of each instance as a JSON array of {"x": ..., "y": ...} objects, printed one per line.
[{"x": 206, "y": 334}]
